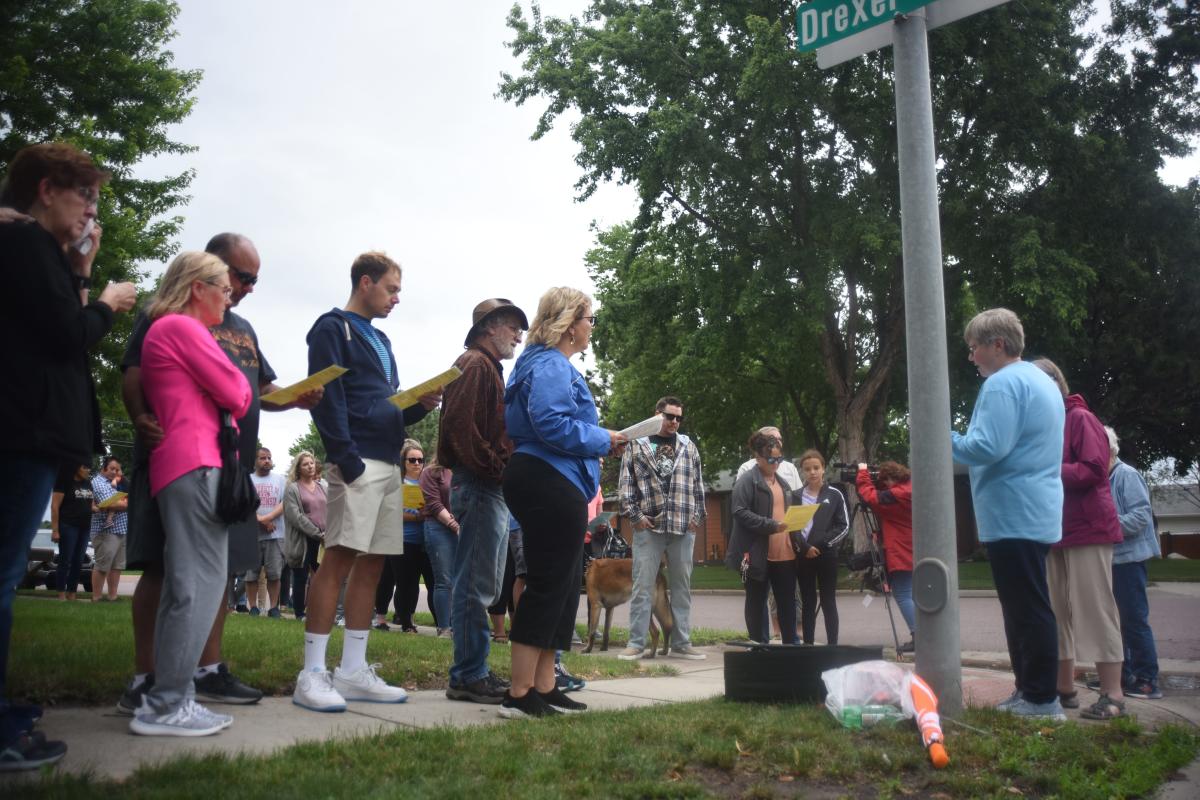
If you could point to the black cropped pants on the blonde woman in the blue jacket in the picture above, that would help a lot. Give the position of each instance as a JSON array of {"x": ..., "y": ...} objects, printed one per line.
[{"x": 554, "y": 516}]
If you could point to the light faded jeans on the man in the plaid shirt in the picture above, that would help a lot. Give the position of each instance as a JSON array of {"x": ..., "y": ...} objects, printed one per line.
[{"x": 649, "y": 550}]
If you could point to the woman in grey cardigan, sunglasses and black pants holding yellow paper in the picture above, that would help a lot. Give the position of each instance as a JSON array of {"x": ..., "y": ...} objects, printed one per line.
[{"x": 761, "y": 546}]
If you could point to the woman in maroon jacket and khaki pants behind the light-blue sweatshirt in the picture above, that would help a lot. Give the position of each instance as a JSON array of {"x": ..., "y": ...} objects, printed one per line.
[{"x": 1079, "y": 569}]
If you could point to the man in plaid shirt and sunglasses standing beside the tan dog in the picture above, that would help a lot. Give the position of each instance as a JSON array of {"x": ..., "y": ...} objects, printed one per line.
[{"x": 663, "y": 497}]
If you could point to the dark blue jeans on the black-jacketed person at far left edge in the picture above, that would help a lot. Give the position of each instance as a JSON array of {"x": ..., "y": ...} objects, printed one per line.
[{"x": 23, "y": 500}]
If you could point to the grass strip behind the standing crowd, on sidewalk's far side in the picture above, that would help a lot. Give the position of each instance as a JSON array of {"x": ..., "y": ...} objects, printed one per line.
[{"x": 83, "y": 653}]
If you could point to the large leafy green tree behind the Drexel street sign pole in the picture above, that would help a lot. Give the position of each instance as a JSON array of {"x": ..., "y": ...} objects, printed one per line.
[{"x": 763, "y": 274}]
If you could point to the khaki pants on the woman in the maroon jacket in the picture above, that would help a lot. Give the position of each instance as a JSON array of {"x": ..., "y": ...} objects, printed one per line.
[{"x": 1081, "y": 581}]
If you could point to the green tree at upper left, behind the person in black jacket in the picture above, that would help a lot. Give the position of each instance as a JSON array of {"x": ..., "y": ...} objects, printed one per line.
[{"x": 97, "y": 74}]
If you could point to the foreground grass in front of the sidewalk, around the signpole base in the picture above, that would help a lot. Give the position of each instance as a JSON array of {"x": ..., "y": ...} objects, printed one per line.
[{"x": 715, "y": 749}]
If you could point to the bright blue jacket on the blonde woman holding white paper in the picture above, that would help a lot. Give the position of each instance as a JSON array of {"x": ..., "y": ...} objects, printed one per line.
[{"x": 549, "y": 413}]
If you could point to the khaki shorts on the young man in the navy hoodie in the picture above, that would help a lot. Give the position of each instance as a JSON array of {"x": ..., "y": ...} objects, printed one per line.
[{"x": 368, "y": 515}]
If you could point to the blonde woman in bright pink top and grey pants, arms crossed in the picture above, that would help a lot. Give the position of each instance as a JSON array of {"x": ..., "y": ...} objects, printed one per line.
[{"x": 188, "y": 380}]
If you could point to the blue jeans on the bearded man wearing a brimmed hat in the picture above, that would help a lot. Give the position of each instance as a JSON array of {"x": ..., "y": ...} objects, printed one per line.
[{"x": 478, "y": 506}]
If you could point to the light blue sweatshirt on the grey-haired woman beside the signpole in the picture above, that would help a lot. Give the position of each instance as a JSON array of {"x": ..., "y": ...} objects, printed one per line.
[{"x": 1015, "y": 450}]
